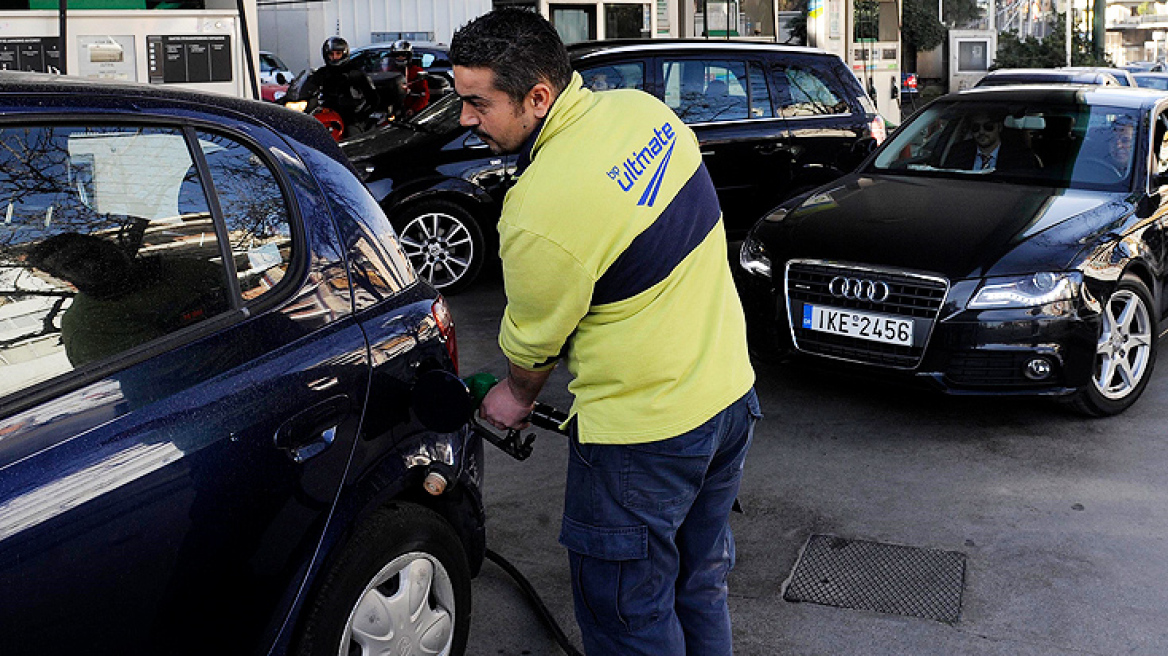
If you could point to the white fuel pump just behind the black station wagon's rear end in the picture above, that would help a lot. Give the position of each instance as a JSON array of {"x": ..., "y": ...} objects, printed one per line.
[{"x": 867, "y": 36}]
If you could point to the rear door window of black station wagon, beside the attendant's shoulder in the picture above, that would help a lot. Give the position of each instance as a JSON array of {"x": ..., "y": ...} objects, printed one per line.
[{"x": 703, "y": 92}]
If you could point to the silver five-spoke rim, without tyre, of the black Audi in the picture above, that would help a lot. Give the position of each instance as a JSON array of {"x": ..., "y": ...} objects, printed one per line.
[{"x": 1125, "y": 346}]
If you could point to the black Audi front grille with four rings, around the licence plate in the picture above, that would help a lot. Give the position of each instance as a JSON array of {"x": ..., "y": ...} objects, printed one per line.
[{"x": 880, "y": 292}]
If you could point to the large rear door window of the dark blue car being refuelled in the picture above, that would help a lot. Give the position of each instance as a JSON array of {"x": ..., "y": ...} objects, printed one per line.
[{"x": 108, "y": 243}]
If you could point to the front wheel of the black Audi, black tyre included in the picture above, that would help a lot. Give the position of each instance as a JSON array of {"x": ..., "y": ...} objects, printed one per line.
[{"x": 1125, "y": 352}]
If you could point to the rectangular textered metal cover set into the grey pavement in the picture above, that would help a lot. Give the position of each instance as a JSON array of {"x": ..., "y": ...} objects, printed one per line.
[{"x": 887, "y": 578}]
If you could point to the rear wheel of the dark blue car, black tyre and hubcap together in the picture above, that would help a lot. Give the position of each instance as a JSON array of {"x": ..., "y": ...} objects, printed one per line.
[{"x": 401, "y": 585}]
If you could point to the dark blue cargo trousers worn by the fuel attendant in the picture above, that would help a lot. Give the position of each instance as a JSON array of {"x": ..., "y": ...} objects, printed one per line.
[{"x": 649, "y": 539}]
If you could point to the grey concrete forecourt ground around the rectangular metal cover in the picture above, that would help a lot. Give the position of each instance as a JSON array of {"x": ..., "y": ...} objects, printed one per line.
[{"x": 1063, "y": 520}]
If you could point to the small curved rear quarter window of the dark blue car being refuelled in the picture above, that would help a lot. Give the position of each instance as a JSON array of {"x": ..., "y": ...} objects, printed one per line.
[{"x": 255, "y": 213}]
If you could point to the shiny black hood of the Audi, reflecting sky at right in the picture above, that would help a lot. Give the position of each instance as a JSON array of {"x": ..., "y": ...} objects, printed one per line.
[{"x": 957, "y": 228}]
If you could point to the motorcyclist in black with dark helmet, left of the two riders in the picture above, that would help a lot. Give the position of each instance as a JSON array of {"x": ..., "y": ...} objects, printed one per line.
[{"x": 343, "y": 87}]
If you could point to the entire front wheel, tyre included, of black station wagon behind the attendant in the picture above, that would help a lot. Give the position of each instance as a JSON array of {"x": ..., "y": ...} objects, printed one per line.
[{"x": 444, "y": 245}]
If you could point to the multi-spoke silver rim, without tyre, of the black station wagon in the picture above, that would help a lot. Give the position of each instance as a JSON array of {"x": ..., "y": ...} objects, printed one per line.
[{"x": 440, "y": 248}]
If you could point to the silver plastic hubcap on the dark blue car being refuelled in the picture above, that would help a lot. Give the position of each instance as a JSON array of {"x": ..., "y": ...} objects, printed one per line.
[{"x": 408, "y": 610}]
